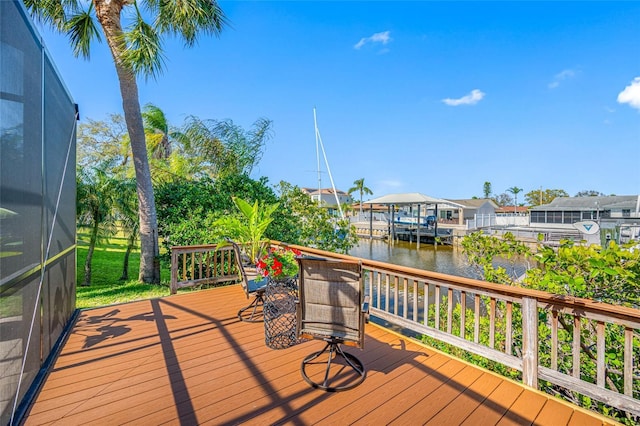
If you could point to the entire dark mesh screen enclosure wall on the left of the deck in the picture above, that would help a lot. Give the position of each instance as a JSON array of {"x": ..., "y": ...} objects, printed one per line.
[{"x": 31, "y": 175}]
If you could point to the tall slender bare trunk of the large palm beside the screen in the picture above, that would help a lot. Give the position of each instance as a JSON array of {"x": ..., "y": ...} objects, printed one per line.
[{"x": 108, "y": 13}]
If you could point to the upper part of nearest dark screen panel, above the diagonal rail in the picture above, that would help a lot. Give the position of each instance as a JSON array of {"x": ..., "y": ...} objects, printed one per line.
[{"x": 21, "y": 142}]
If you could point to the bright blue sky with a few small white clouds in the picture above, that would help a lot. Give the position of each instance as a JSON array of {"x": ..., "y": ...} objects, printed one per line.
[{"x": 431, "y": 97}]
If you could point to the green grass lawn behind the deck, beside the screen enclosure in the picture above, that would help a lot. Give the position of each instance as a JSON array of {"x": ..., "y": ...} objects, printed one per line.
[{"x": 106, "y": 287}]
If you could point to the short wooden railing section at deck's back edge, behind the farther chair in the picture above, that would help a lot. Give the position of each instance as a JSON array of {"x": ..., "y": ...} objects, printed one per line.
[{"x": 206, "y": 264}]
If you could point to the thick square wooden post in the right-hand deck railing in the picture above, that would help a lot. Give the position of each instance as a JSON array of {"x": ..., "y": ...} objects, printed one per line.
[{"x": 530, "y": 342}]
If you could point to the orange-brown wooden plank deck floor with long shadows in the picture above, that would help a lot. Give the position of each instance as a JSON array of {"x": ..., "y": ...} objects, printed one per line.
[{"x": 186, "y": 359}]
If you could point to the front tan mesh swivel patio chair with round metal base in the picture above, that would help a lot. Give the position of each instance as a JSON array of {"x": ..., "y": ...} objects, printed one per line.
[{"x": 332, "y": 307}]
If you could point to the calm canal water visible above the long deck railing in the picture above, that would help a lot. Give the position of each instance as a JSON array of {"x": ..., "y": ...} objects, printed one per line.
[{"x": 442, "y": 258}]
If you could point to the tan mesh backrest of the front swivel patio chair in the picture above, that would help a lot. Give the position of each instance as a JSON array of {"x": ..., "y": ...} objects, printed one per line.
[{"x": 331, "y": 296}]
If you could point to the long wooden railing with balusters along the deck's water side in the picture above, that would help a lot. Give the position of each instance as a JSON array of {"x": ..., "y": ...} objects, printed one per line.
[{"x": 555, "y": 338}]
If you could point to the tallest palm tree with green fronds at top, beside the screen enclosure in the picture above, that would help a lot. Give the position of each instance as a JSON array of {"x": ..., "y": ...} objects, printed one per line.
[{"x": 136, "y": 49}]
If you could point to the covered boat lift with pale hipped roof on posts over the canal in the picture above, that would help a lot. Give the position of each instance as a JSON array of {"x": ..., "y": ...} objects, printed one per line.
[{"x": 407, "y": 199}]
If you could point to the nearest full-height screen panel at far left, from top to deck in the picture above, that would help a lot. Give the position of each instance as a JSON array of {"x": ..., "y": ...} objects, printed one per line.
[{"x": 21, "y": 203}]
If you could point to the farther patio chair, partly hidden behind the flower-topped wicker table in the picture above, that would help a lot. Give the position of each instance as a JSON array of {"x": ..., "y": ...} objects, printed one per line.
[{"x": 253, "y": 285}]
